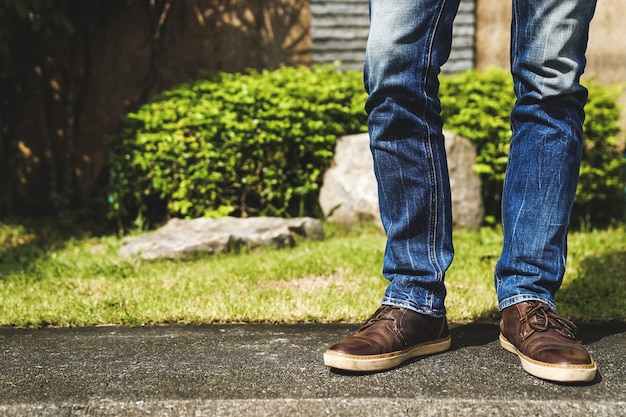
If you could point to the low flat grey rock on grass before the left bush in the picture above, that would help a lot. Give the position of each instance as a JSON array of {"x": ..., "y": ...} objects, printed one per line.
[{"x": 179, "y": 238}]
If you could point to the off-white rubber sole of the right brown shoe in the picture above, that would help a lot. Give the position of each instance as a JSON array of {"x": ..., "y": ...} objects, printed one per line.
[{"x": 550, "y": 371}]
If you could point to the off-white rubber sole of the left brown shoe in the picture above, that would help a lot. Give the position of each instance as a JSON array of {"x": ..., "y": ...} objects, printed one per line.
[{"x": 364, "y": 363}]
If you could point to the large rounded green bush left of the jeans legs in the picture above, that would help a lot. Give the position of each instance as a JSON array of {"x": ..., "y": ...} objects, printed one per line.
[{"x": 235, "y": 144}]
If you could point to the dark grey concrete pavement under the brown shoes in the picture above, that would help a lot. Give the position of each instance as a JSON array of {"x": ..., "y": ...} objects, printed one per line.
[{"x": 277, "y": 370}]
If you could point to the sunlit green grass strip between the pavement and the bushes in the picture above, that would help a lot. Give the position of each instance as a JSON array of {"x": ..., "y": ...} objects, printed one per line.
[{"x": 52, "y": 277}]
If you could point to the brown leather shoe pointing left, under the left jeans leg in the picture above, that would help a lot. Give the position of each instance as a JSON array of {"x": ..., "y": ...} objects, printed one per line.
[{"x": 391, "y": 336}]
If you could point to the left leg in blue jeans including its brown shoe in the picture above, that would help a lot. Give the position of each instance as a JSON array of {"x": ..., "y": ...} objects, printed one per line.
[{"x": 409, "y": 41}]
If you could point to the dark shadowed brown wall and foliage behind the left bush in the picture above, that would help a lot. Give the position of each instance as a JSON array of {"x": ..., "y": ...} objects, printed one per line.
[{"x": 71, "y": 69}]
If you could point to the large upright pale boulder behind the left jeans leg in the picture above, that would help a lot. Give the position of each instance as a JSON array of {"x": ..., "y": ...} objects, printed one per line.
[{"x": 350, "y": 193}]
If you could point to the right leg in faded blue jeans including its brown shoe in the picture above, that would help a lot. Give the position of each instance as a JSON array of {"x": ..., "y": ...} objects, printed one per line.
[{"x": 549, "y": 39}]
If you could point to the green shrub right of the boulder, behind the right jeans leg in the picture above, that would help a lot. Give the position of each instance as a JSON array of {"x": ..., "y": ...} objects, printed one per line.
[{"x": 477, "y": 106}]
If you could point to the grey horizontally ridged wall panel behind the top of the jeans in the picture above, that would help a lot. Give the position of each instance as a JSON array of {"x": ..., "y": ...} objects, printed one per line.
[{"x": 339, "y": 31}]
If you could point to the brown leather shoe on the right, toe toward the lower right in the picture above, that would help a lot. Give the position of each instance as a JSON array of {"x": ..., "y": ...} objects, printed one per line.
[{"x": 545, "y": 343}]
